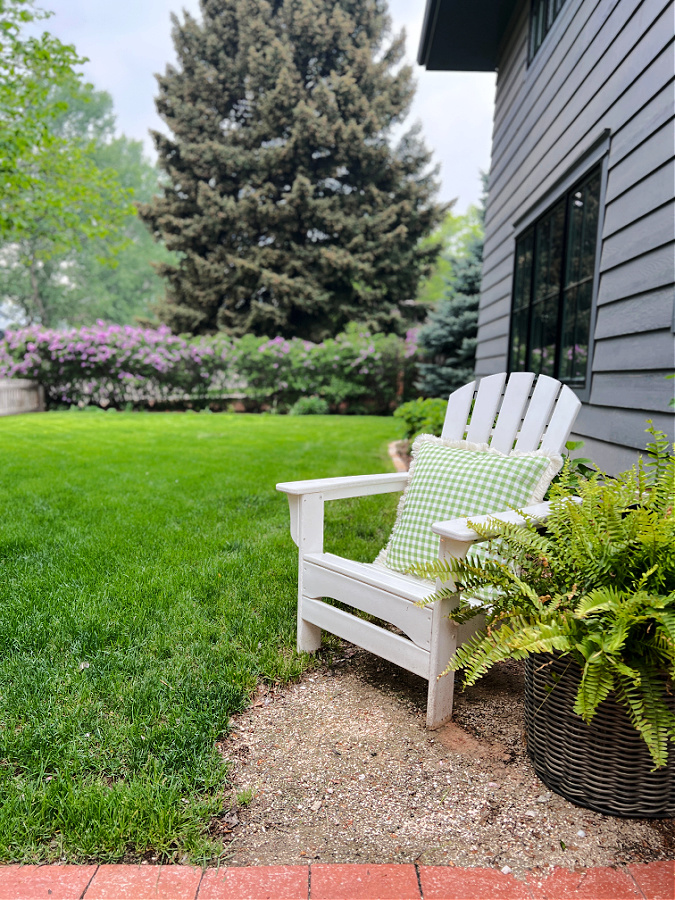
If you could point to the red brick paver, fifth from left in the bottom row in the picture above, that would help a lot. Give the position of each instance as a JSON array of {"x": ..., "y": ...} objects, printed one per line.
[{"x": 450, "y": 883}]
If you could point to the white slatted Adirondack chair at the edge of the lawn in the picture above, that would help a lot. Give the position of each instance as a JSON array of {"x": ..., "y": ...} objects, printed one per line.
[{"x": 510, "y": 418}]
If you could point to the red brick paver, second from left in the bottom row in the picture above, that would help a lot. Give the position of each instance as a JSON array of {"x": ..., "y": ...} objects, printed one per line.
[{"x": 144, "y": 883}]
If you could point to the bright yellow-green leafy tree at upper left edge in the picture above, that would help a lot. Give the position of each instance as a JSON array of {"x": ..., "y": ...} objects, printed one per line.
[{"x": 53, "y": 197}]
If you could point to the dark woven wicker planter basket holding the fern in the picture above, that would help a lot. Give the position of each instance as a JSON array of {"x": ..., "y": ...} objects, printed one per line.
[{"x": 604, "y": 766}]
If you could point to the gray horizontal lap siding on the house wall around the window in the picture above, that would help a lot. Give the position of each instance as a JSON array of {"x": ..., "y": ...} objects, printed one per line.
[{"x": 605, "y": 67}]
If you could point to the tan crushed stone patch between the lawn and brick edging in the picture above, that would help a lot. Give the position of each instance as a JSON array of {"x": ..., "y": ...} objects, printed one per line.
[{"x": 340, "y": 768}]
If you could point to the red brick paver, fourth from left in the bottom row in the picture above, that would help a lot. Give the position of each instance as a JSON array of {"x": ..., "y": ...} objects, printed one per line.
[{"x": 364, "y": 882}]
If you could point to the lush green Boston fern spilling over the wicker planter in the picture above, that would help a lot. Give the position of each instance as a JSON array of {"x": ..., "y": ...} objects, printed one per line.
[{"x": 597, "y": 585}]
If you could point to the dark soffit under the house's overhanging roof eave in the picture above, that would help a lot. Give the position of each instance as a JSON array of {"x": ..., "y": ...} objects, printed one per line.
[{"x": 463, "y": 35}]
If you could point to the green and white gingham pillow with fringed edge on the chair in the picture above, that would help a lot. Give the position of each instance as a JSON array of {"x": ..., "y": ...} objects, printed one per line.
[{"x": 452, "y": 479}]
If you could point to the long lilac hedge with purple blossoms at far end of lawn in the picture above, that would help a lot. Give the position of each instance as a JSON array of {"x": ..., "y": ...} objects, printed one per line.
[{"x": 113, "y": 365}]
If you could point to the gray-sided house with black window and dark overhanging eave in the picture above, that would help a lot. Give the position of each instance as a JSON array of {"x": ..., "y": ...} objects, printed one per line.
[{"x": 579, "y": 270}]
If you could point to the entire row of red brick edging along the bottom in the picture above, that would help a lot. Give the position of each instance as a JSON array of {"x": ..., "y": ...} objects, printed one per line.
[{"x": 645, "y": 881}]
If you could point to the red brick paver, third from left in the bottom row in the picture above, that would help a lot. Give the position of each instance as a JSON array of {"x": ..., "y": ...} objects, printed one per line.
[{"x": 256, "y": 883}]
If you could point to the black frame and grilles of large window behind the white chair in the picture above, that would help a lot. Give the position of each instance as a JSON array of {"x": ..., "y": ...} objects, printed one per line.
[{"x": 564, "y": 197}]
